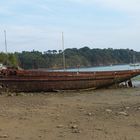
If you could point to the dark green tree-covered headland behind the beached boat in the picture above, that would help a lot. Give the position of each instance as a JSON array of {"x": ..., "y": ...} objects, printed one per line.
[{"x": 83, "y": 57}]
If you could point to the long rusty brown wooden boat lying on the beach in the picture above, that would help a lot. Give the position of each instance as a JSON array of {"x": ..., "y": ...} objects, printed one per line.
[{"x": 37, "y": 81}]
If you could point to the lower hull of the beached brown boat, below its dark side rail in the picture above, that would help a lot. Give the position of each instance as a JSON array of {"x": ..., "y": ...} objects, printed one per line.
[{"x": 37, "y": 86}]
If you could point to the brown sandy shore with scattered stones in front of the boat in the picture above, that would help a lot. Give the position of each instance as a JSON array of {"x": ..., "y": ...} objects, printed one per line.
[{"x": 109, "y": 114}]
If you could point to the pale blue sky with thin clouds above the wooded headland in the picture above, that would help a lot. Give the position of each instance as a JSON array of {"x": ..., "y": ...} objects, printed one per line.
[{"x": 38, "y": 24}]
